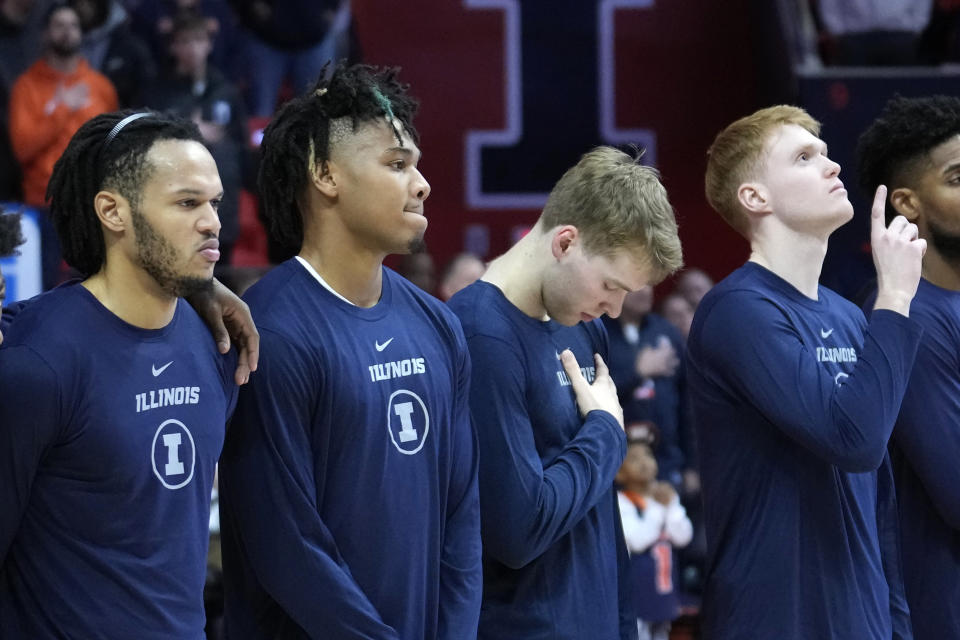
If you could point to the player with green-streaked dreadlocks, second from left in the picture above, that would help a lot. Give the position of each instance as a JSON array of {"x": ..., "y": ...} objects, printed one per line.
[{"x": 349, "y": 503}]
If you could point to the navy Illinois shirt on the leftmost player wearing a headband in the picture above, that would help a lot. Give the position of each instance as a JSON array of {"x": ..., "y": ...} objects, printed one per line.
[{"x": 109, "y": 436}]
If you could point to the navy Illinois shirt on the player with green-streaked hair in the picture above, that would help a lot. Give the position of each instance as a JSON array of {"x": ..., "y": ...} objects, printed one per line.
[{"x": 348, "y": 495}]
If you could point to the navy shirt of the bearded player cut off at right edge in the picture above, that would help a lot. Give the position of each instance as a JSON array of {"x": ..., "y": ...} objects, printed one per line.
[{"x": 925, "y": 448}]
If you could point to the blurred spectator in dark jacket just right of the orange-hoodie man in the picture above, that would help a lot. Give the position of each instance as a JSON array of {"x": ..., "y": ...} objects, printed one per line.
[{"x": 111, "y": 48}]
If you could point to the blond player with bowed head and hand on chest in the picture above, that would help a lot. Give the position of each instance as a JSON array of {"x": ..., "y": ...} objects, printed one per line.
[{"x": 555, "y": 562}]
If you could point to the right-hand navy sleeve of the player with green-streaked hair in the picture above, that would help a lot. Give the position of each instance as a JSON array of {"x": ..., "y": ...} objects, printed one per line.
[{"x": 461, "y": 571}]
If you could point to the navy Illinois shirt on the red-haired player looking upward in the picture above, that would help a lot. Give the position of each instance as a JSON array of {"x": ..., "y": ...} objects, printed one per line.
[{"x": 794, "y": 402}]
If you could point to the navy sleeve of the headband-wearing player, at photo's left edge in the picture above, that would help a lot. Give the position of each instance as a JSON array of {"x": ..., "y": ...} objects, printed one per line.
[{"x": 29, "y": 425}]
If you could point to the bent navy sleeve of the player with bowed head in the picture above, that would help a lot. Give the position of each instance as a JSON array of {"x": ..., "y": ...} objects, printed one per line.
[{"x": 526, "y": 507}]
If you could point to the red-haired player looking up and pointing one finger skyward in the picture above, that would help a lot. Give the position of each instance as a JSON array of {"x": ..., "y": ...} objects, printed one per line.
[{"x": 795, "y": 396}]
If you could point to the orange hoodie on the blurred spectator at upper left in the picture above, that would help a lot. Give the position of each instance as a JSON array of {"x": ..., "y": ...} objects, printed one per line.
[{"x": 41, "y": 129}]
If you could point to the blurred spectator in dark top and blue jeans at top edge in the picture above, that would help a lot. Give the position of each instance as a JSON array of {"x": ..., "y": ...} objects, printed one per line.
[{"x": 289, "y": 40}]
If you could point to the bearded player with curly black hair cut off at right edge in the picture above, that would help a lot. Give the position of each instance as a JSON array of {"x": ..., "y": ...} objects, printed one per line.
[{"x": 914, "y": 147}]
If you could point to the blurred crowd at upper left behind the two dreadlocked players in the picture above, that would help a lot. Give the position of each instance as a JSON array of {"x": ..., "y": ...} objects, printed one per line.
[{"x": 213, "y": 61}]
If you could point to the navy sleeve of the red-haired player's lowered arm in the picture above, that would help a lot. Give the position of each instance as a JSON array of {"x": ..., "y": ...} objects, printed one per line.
[{"x": 888, "y": 532}]
